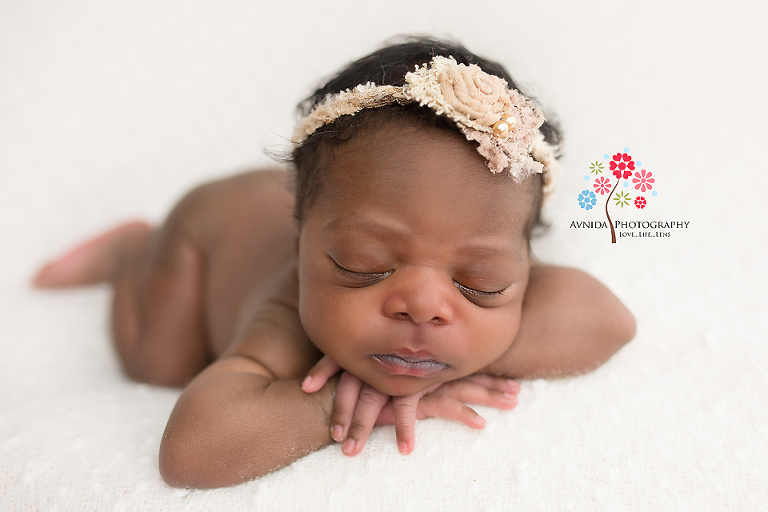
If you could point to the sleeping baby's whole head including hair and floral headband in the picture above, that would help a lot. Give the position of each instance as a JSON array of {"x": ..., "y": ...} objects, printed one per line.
[{"x": 413, "y": 254}]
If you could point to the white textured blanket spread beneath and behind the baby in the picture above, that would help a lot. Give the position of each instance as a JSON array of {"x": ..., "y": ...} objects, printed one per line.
[{"x": 111, "y": 110}]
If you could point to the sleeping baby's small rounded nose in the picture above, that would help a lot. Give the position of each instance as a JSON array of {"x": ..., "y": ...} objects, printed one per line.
[{"x": 421, "y": 296}]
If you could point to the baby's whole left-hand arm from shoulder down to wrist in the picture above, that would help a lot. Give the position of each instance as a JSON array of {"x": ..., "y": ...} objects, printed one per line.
[{"x": 246, "y": 415}]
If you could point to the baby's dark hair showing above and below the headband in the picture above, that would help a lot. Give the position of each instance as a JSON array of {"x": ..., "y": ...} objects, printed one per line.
[{"x": 387, "y": 66}]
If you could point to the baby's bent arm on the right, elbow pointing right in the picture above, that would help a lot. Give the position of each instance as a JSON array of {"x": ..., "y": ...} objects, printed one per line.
[{"x": 570, "y": 324}]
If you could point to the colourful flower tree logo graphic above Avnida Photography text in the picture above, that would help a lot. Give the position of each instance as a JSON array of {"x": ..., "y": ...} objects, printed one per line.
[{"x": 625, "y": 170}]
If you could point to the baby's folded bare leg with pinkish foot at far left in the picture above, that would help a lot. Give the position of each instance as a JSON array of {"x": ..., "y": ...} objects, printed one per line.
[{"x": 157, "y": 314}]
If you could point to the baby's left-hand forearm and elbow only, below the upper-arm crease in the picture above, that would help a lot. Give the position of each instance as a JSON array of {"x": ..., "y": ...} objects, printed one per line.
[{"x": 236, "y": 421}]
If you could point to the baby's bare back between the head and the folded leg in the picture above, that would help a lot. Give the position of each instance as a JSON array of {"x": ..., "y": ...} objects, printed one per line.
[{"x": 245, "y": 229}]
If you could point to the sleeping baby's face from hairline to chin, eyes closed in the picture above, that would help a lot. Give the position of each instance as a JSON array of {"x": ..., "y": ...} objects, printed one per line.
[{"x": 413, "y": 259}]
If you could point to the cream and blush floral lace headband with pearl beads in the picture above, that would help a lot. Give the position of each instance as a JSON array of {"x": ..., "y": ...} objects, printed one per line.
[{"x": 503, "y": 121}]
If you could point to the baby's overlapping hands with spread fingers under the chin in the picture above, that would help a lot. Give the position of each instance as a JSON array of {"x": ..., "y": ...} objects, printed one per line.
[{"x": 358, "y": 407}]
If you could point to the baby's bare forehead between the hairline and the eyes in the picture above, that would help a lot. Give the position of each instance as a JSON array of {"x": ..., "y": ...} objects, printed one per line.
[{"x": 424, "y": 175}]
